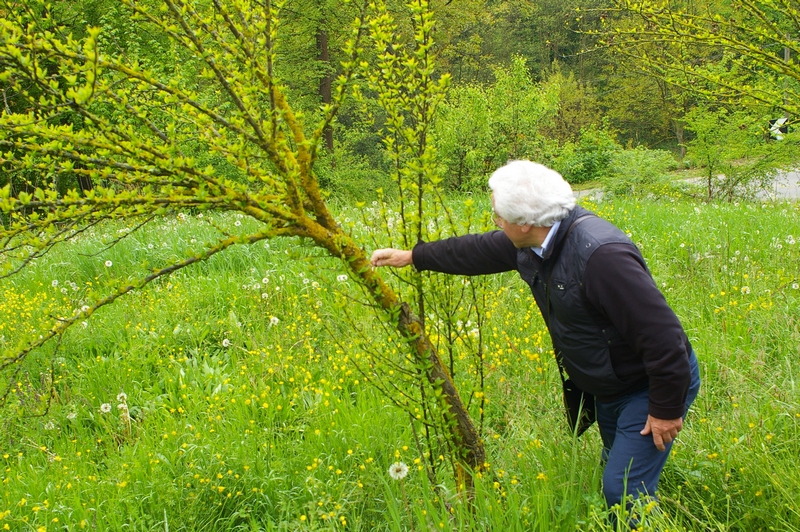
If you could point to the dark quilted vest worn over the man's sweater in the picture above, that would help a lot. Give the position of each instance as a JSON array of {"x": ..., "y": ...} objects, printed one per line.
[{"x": 581, "y": 335}]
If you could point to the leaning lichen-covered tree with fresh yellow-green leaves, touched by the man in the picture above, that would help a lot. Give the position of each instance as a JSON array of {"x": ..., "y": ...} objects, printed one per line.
[{"x": 221, "y": 137}]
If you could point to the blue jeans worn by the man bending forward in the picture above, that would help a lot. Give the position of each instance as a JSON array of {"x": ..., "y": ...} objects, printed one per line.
[{"x": 633, "y": 464}]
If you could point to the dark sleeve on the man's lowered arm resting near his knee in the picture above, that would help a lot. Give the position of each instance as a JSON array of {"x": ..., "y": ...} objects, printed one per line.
[{"x": 618, "y": 284}]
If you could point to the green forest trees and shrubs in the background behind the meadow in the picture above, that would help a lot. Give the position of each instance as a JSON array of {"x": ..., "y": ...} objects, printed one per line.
[{"x": 601, "y": 93}]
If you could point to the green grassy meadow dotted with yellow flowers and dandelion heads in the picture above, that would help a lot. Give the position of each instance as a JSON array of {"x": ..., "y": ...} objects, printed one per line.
[{"x": 232, "y": 396}]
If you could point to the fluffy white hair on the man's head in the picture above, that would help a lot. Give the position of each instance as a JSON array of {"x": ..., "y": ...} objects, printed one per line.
[{"x": 528, "y": 193}]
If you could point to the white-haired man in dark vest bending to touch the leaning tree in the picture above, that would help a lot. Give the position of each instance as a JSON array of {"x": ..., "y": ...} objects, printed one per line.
[{"x": 613, "y": 332}]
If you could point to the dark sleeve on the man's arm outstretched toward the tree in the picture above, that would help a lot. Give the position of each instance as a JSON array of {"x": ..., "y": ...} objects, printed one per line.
[{"x": 475, "y": 254}]
